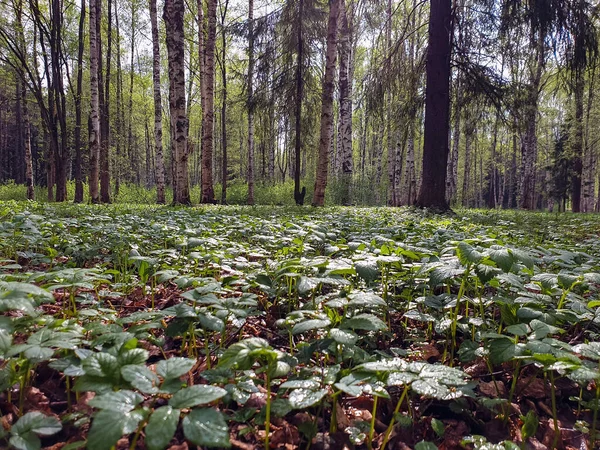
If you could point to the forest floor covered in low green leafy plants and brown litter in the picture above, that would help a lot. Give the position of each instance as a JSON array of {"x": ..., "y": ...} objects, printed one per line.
[{"x": 154, "y": 327}]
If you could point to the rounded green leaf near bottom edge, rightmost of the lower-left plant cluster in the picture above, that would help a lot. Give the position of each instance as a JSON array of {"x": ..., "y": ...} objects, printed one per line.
[{"x": 206, "y": 427}]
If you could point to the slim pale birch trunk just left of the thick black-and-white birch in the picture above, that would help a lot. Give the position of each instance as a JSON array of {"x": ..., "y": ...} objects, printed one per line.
[{"x": 158, "y": 151}]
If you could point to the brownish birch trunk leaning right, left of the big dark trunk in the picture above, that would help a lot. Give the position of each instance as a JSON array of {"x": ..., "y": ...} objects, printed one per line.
[{"x": 327, "y": 104}]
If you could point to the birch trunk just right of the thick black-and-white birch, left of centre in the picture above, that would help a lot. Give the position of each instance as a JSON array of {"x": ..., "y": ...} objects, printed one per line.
[{"x": 208, "y": 194}]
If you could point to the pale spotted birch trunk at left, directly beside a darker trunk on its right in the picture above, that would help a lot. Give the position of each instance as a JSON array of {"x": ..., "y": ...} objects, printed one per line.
[{"x": 94, "y": 109}]
